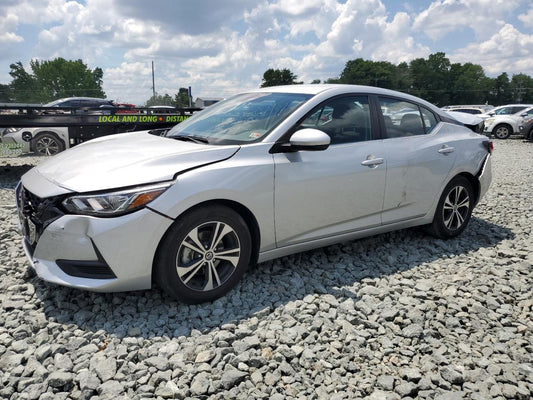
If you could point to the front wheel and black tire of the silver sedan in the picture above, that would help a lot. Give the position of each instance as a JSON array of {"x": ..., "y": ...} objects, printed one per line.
[{"x": 203, "y": 255}]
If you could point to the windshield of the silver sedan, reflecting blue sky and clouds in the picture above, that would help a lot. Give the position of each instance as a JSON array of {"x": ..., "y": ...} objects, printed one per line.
[{"x": 244, "y": 118}]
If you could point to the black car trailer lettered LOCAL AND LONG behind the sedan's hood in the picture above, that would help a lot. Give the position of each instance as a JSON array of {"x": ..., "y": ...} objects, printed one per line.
[{"x": 49, "y": 130}]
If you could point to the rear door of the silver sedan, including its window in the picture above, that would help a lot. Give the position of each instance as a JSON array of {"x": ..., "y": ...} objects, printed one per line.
[{"x": 418, "y": 159}]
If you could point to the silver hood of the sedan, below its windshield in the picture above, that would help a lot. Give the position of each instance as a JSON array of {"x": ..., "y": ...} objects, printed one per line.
[{"x": 119, "y": 161}]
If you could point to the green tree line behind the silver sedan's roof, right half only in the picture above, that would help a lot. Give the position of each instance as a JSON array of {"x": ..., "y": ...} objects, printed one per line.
[{"x": 434, "y": 79}]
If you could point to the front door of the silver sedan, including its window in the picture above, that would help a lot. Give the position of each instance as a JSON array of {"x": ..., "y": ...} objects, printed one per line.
[{"x": 319, "y": 194}]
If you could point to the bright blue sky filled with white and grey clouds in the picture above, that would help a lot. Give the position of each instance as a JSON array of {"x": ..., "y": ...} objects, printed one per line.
[{"x": 223, "y": 47}]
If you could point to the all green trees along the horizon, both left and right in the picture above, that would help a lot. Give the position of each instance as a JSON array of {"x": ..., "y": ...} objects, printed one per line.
[{"x": 435, "y": 79}]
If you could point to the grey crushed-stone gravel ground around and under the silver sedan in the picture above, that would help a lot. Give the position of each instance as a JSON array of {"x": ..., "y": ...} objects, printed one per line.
[{"x": 395, "y": 316}]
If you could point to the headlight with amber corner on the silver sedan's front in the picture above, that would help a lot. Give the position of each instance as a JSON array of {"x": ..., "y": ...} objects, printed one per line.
[{"x": 113, "y": 203}]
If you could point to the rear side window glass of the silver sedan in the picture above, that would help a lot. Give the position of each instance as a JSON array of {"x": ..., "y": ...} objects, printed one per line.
[{"x": 403, "y": 118}]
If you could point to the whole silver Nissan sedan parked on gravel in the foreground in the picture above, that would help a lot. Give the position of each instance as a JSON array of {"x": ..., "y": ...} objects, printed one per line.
[{"x": 261, "y": 175}]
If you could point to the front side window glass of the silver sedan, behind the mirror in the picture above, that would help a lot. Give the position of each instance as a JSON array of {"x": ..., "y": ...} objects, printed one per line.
[{"x": 344, "y": 119}]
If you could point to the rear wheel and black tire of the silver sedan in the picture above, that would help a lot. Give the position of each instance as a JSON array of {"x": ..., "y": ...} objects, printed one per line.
[{"x": 454, "y": 209}]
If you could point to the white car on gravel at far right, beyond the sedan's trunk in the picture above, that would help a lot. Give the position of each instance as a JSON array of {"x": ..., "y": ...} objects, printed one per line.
[{"x": 502, "y": 123}]
